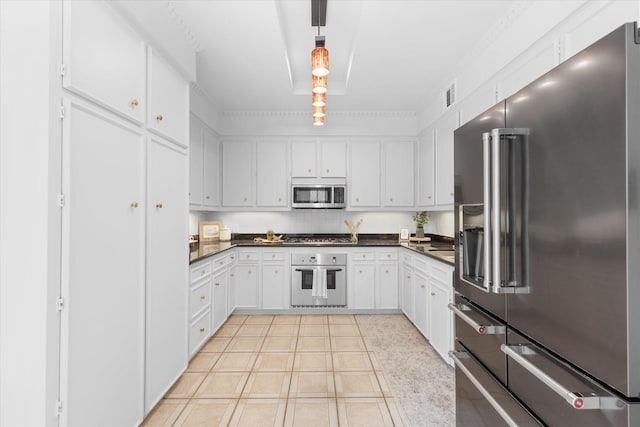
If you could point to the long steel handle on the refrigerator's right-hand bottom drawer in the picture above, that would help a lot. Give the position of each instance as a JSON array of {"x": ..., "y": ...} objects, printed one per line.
[{"x": 577, "y": 400}]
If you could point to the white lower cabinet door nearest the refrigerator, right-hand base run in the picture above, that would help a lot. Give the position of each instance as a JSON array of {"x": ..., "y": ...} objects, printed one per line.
[{"x": 440, "y": 324}]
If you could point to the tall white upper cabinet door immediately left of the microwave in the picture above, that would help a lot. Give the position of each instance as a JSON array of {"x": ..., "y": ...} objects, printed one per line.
[{"x": 271, "y": 174}]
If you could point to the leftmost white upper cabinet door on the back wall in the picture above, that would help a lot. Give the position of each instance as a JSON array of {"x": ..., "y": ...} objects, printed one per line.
[{"x": 237, "y": 173}]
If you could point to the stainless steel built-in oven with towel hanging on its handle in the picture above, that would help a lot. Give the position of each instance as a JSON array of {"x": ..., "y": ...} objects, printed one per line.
[{"x": 318, "y": 280}]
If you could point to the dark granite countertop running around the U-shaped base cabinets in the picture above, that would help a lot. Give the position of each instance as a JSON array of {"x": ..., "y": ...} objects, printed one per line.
[{"x": 439, "y": 248}]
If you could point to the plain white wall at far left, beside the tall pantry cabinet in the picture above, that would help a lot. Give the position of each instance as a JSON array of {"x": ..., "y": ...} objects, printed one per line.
[{"x": 29, "y": 218}]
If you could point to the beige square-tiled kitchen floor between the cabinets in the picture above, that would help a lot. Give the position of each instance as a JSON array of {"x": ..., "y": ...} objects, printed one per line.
[{"x": 312, "y": 370}]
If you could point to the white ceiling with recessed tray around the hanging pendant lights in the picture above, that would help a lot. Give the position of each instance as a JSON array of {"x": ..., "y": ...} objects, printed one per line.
[{"x": 385, "y": 55}]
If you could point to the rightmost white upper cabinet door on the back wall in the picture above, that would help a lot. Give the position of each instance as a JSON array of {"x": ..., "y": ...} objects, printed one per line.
[{"x": 398, "y": 172}]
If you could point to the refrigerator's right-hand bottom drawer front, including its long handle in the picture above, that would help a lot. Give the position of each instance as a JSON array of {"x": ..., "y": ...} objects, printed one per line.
[{"x": 557, "y": 393}]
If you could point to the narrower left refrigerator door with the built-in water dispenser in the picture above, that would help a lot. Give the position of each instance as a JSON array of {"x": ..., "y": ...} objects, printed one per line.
[{"x": 471, "y": 164}]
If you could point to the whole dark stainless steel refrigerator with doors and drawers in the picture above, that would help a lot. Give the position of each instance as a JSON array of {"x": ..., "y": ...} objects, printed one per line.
[{"x": 547, "y": 216}]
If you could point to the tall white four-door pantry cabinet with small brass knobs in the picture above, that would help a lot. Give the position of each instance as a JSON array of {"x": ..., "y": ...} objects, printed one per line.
[{"x": 125, "y": 221}]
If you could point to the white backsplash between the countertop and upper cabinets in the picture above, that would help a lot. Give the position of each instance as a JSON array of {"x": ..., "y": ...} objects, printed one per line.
[{"x": 322, "y": 221}]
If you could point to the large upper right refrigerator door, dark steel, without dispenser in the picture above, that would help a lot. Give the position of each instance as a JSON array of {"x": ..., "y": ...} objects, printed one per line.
[{"x": 577, "y": 217}]
